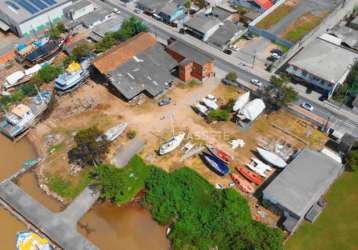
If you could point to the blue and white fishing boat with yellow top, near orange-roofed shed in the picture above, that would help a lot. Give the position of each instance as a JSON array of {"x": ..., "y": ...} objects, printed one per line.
[{"x": 73, "y": 77}]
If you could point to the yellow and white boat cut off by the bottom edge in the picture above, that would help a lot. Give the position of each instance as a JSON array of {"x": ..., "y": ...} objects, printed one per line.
[{"x": 28, "y": 240}]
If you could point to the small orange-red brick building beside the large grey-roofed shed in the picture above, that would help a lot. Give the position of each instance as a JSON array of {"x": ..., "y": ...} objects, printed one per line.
[{"x": 192, "y": 63}]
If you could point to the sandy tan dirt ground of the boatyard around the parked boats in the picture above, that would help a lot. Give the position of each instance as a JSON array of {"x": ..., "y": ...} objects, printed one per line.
[{"x": 93, "y": 104}]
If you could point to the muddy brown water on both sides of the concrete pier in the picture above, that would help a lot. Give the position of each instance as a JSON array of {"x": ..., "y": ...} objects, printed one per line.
[{"x": 109, "y": 227}]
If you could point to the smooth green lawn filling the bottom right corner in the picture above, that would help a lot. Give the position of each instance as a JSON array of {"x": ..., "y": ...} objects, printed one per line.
[{"x": 337, "y": 226}]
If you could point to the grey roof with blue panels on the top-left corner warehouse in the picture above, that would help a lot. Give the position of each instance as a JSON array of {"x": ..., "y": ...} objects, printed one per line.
[{"x": 11, "y": 9}]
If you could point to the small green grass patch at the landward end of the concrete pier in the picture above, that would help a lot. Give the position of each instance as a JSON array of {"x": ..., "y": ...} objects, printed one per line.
[{"x": 66, "y": 188}]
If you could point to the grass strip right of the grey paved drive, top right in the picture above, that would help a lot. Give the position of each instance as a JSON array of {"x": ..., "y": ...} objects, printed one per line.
[{"x": 302, "y": 26}]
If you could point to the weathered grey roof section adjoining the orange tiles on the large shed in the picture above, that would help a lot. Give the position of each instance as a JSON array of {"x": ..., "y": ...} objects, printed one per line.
[{"x": 148, "y": 71}]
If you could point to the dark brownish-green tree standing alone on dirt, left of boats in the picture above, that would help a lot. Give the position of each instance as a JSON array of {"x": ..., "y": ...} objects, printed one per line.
[{"x": 91, "y": 147}]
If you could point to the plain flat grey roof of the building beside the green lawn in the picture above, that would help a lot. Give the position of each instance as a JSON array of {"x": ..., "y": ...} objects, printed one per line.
[{"x": 303, "y": 182}]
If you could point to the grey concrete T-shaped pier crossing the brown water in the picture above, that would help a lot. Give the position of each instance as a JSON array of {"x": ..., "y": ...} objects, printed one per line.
[{"x": 59, "y": 228}]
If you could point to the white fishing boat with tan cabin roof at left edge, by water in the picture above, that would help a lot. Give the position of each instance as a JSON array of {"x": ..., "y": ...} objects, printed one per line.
[{"x": 22, "y": 117}]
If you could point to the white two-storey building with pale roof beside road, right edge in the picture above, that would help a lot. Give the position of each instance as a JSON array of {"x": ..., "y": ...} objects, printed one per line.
[{"x": 322, "y": 64}]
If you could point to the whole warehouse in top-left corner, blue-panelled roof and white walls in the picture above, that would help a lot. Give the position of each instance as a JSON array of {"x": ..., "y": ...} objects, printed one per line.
[{"x": 26, "y": 17}]
